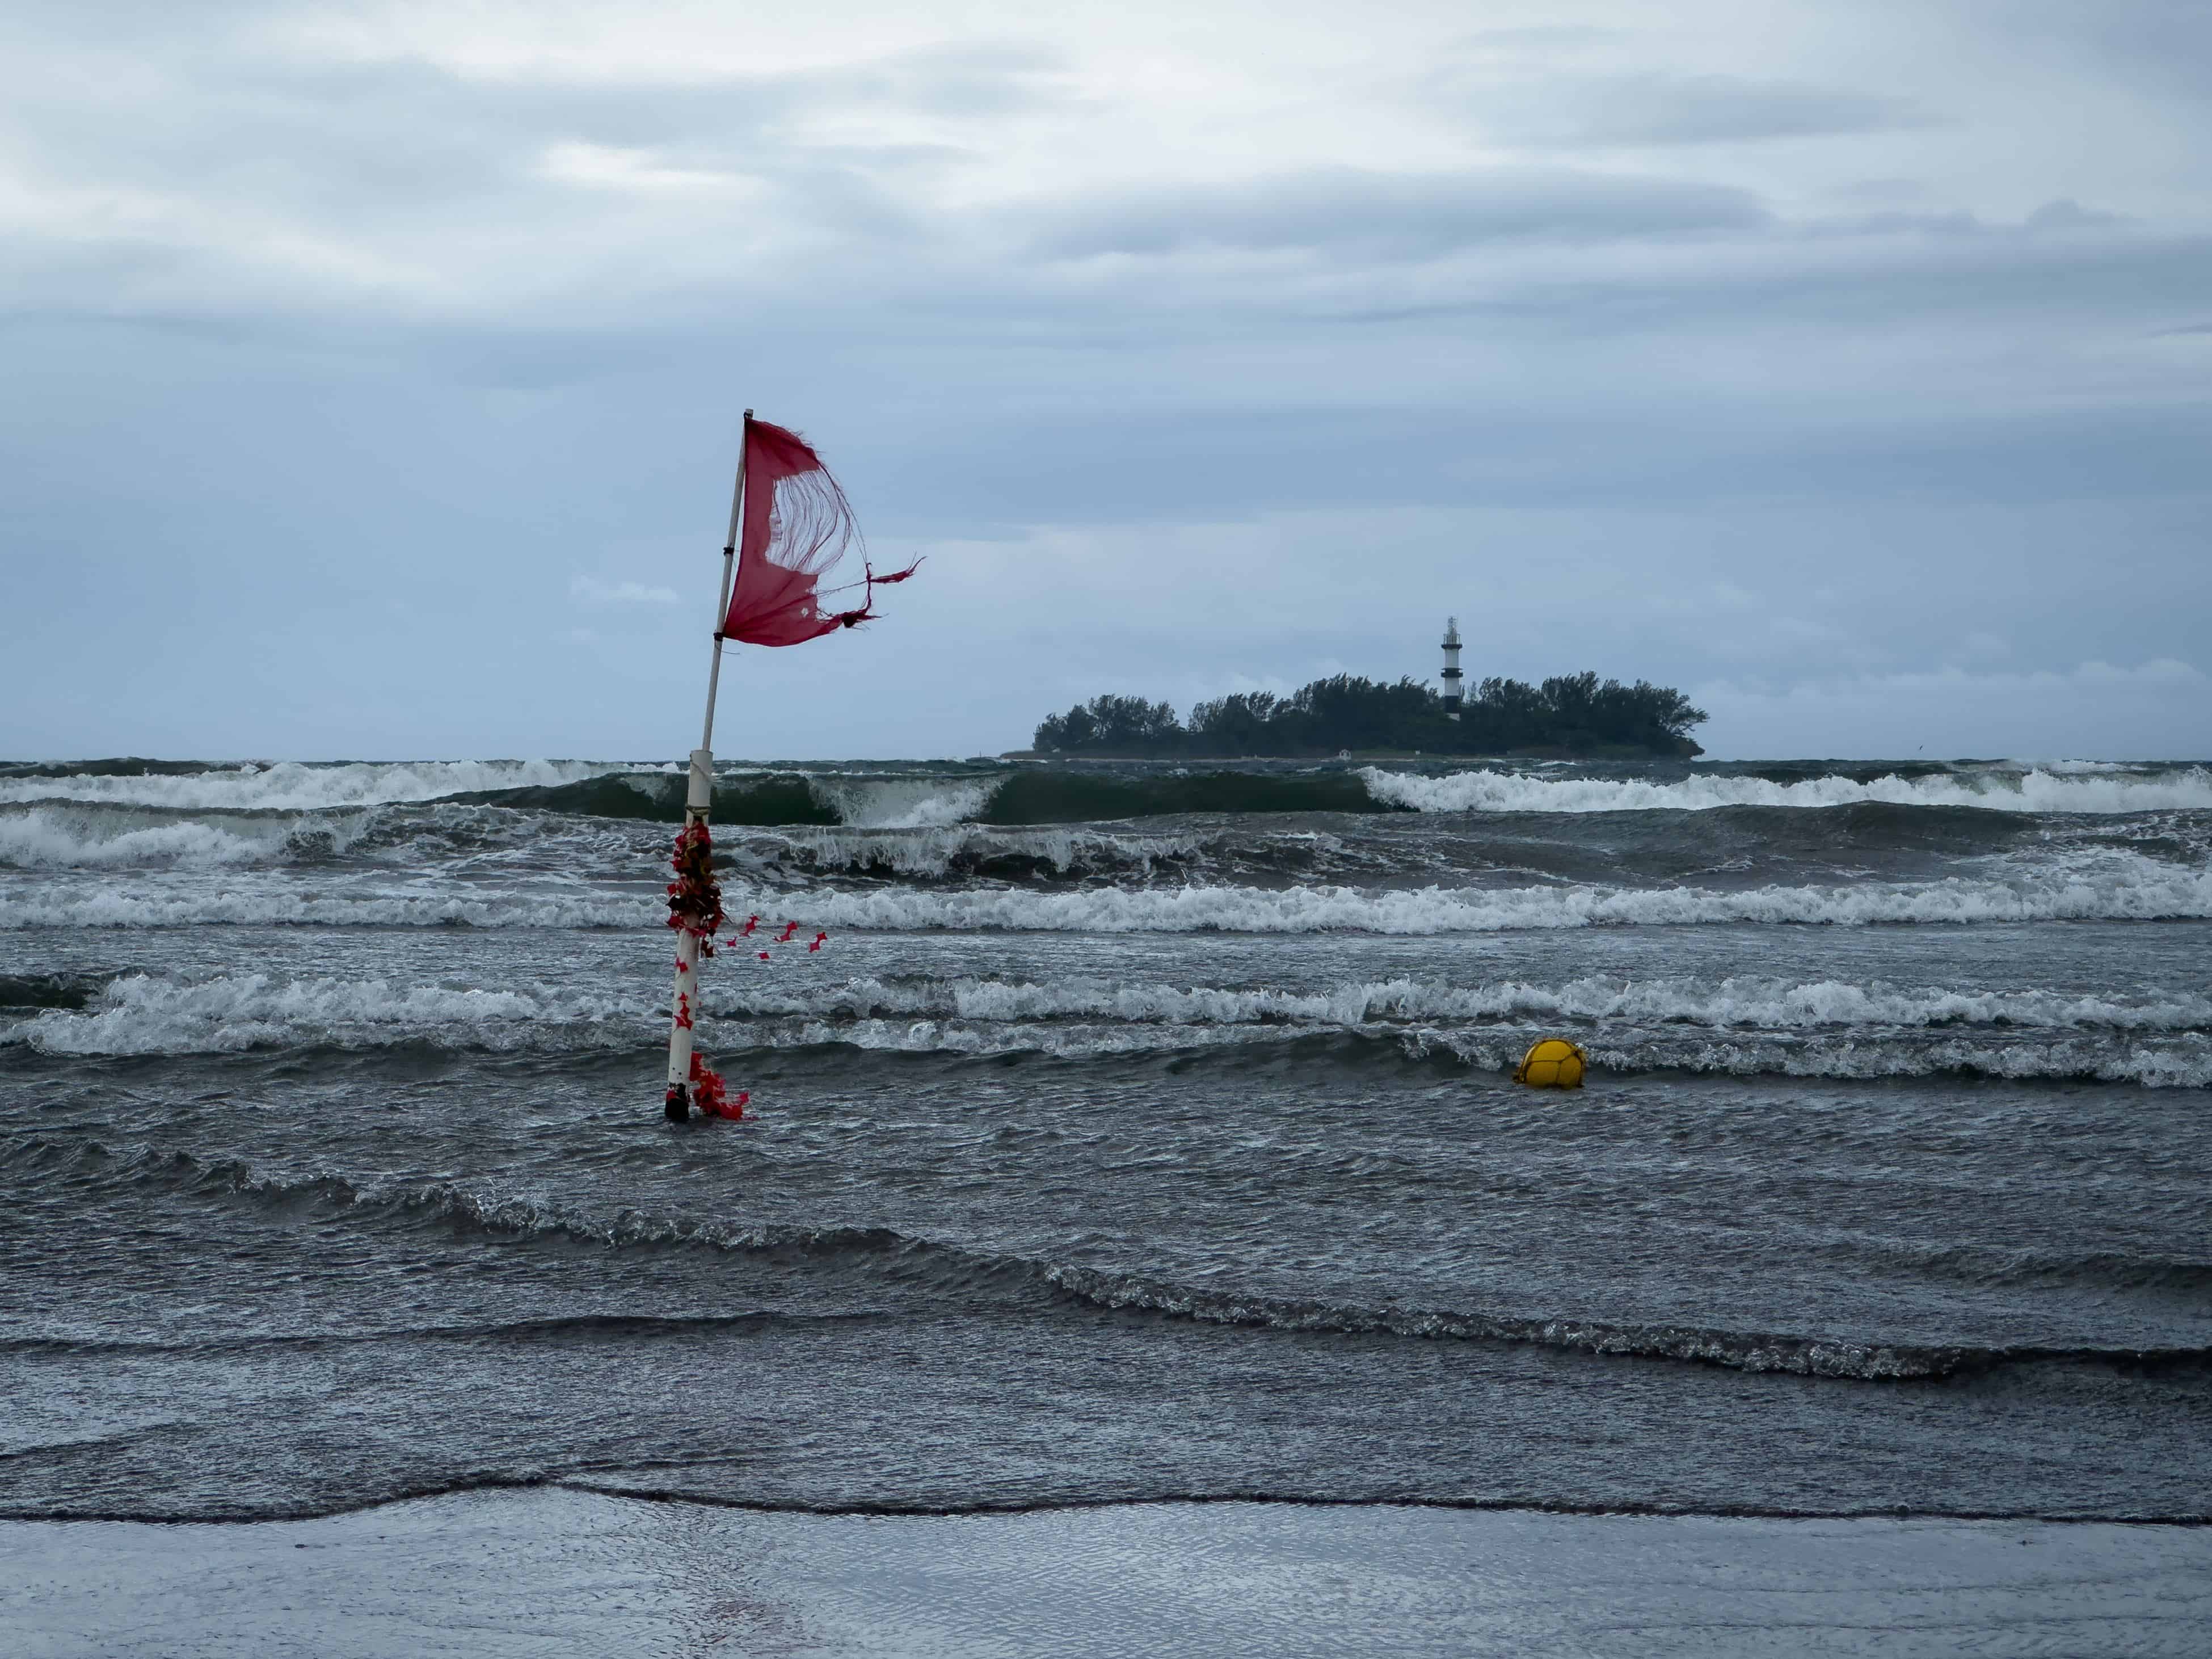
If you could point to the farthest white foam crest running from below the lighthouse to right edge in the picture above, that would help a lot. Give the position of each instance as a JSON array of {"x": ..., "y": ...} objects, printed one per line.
[{"x": 2034, "y": 791}]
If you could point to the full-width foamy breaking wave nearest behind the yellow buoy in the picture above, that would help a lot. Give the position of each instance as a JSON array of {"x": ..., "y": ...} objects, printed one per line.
[{"x": 1731, "y": 1027}]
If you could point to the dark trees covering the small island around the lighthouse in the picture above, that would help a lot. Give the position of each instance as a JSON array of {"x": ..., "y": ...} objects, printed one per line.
[{"x": 1569, "y": 716}]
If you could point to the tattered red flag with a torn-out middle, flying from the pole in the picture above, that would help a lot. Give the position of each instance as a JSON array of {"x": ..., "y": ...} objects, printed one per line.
[{"x": 795, "y": 534}]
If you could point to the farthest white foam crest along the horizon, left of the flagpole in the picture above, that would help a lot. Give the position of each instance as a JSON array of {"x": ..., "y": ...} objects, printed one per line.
[{"x": 293, "y": 786}]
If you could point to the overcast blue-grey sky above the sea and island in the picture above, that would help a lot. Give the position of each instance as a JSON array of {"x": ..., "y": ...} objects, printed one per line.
[{"x": 375, "y": 371}]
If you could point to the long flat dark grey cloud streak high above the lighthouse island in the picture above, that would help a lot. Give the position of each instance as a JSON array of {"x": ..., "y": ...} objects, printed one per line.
[{"x": 1397, "y": 216}]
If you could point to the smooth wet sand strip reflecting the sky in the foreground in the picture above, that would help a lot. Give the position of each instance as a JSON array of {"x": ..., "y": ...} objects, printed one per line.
[{"x": 559, "y": 1572}]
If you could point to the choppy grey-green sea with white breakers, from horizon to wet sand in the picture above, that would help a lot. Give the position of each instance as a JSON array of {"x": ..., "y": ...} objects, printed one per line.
[{"x": 1140, "y": 1134}]
